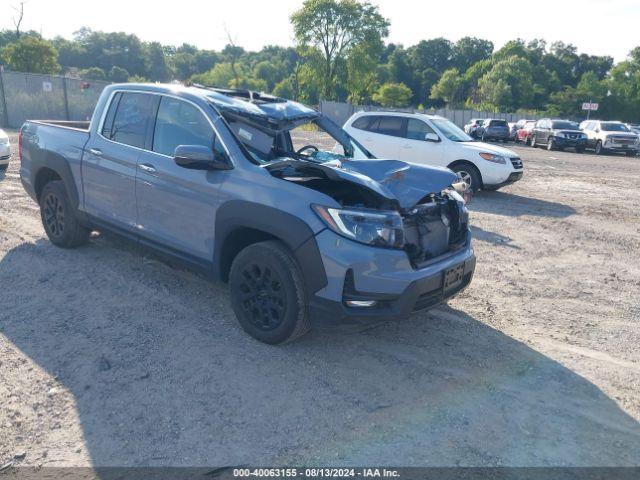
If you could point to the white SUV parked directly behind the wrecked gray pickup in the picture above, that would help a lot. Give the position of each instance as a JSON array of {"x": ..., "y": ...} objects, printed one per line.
[{"x": 433, "y": 140}]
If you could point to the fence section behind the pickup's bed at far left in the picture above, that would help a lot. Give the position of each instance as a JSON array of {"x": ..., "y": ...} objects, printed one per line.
[{"x": 30, "y": 96}]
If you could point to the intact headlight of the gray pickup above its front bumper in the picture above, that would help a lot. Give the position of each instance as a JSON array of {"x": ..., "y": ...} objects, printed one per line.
[{"x": 371, "y": 227}]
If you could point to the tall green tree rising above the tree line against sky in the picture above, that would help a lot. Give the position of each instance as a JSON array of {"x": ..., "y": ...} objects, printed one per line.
[{"x": 334, "y": 27}]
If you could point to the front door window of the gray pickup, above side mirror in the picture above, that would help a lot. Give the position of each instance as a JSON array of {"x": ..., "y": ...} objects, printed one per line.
[{"x": 180, "y": 123}]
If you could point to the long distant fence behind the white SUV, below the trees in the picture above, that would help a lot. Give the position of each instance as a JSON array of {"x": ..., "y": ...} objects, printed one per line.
[{"x": 340, "y": 112}]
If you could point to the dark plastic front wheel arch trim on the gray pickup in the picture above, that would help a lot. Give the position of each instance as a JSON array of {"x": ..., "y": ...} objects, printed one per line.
[{"x": 242, "y": 223}]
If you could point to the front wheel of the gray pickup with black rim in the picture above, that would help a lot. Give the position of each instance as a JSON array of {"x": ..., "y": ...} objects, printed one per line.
[{"x": 268, "y": 293}]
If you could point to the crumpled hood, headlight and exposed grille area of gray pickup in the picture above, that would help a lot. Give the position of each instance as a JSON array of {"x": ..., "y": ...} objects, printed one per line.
[{"x": 387, "y": 204}]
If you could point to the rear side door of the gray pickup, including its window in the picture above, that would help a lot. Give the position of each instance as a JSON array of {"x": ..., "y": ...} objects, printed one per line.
[{"x": 110, "y": 159}]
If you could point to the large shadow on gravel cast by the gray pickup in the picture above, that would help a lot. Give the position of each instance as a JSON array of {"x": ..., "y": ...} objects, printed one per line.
[{"x": 161, "y": 375}]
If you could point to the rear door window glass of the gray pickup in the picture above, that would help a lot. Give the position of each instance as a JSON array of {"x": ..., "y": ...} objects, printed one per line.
[{"x": 133, "y": 118}]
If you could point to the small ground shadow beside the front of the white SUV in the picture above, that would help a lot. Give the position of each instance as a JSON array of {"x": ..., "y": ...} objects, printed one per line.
[{"x": 512, "y": 205}]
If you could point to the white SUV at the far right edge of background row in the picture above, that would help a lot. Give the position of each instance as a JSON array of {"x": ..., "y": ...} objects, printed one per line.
[{"x": 606, "y": 137}]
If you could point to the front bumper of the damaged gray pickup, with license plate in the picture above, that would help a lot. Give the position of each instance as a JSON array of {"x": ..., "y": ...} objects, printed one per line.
[{"x": 385, "y": 277}]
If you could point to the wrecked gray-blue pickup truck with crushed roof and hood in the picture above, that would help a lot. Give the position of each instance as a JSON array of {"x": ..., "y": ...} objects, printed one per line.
[{"x": 221, "y": 180}]
